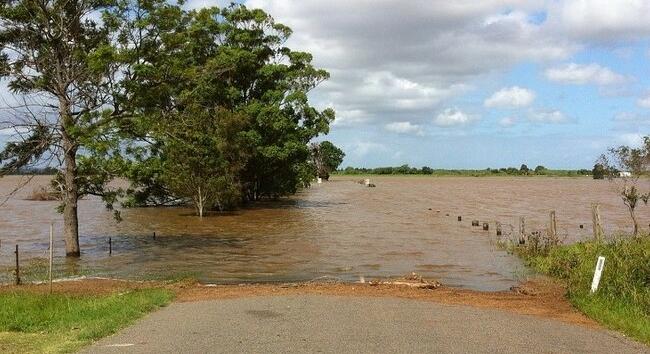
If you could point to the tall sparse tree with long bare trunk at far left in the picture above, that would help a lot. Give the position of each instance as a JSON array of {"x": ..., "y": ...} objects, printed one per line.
[{"x": 58, "y": 61}]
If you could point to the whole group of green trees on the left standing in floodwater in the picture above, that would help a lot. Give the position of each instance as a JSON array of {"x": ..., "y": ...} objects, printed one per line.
[{"x": 204, "y": 107}]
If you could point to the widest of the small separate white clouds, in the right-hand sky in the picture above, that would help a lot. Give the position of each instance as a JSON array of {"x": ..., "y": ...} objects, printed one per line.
[{"x": 580, "y": 74}]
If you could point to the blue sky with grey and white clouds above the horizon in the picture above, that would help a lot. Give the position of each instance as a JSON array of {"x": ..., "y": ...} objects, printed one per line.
[{"x": 476, "y": 84}]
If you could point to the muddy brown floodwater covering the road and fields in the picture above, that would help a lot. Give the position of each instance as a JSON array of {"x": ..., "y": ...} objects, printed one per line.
[{"x": 339, "y": 229}]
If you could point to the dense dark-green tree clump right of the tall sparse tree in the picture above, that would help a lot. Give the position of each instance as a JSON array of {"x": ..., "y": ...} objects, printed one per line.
[{"x": 217, "y": 60}]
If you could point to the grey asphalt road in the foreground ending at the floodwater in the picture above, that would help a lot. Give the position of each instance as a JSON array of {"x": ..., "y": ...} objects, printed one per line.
[{"x": 329, "y": 324}]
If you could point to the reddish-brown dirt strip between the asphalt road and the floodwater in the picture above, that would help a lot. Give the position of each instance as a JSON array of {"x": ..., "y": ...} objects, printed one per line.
[{"x": 541, "y": 297}]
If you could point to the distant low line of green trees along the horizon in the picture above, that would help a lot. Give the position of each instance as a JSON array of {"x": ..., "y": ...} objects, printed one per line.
[{"x": 504, "y": 171}]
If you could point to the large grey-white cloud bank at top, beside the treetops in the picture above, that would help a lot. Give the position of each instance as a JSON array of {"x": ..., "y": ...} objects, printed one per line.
[{"x": 409, "y": 65}]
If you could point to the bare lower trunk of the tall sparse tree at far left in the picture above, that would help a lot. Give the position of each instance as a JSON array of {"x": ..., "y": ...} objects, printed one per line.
[{"x": 70, "y": 198}]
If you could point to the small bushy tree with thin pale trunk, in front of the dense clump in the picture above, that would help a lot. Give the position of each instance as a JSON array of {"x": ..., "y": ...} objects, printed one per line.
[{"x": 204, "y": 154}]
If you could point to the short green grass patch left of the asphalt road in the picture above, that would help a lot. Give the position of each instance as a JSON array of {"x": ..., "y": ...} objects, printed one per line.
[{"x": 59, "y": 323}]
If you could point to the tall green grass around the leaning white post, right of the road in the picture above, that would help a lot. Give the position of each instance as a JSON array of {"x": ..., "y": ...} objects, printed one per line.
[{"x": 622, "y": 301}]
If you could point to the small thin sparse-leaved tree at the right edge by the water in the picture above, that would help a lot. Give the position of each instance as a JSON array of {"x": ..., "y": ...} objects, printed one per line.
[{"x": 629, "y": 168}]
